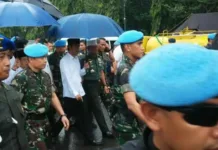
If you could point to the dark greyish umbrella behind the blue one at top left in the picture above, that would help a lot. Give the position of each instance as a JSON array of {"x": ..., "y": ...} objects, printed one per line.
[{"x": 44, "y": 4}]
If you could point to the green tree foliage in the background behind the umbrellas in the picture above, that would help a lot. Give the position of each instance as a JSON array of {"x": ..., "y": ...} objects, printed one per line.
[{"x": 149, "y": 16}]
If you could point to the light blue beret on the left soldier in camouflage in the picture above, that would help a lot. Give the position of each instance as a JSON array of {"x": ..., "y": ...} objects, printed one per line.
[{"x": 36, "y": 50}]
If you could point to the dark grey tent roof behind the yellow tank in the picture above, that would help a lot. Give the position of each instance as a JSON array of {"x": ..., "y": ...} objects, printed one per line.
[{"x": 201, "y": 22}]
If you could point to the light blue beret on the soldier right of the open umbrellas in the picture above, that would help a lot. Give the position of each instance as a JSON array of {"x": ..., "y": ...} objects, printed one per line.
[{"x": 129, "y": 37}]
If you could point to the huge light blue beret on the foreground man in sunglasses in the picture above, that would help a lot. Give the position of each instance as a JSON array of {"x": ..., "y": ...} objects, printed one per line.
[{"x": 176, "y": 75}]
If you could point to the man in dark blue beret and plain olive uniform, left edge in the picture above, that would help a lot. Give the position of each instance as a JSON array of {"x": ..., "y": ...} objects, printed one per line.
[{"x": 12, "y": 117}]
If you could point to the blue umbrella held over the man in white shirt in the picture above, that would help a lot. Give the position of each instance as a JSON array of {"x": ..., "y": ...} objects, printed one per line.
[{"x": 85, "y": 25}]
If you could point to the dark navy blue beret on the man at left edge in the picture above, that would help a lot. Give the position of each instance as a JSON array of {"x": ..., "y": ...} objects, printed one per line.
[{"x": 6, "y": 44}]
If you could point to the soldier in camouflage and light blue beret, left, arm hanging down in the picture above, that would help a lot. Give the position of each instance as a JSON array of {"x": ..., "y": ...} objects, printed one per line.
[{"x": 36, "y": 86}]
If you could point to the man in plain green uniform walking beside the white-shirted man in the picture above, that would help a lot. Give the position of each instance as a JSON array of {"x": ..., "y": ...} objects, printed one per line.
[{"x": 94, "y": 76}]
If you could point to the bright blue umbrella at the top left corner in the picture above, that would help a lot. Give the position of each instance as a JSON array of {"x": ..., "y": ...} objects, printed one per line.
[{"x": 14, "y": 14}]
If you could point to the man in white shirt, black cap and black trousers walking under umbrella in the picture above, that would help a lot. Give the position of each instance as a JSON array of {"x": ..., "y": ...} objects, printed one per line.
[{"x": 73, "y": 92}]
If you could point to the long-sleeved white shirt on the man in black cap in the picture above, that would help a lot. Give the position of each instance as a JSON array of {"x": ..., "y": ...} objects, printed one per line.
[{"x": 71, "y": 76}]
